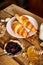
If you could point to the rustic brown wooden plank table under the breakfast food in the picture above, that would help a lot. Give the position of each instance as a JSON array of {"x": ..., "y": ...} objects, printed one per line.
[{"x": 10, "y": 11}]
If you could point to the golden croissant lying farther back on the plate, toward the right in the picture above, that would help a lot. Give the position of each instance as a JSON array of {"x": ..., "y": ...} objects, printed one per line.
[{"x": 25, "y": 22}]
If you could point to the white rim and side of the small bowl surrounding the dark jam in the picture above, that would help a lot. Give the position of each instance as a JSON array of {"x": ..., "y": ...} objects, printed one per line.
[{"x": 16, "y": 54}]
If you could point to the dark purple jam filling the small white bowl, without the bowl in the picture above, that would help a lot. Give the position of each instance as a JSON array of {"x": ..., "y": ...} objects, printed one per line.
[{"x": 13, "y": 47}]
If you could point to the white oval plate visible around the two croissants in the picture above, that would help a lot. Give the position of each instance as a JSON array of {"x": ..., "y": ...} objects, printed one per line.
[{"x": 11, "y": 32}]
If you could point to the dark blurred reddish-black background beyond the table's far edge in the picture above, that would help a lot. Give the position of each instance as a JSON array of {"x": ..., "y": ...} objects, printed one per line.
[{"x": 34, "y": 6}]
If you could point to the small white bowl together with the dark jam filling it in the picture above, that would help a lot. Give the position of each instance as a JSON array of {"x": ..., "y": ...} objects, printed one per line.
[{"x": 13, "y": 48}]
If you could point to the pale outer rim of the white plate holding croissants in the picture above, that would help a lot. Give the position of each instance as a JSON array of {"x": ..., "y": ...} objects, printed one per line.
[{"x": 16, "y": 35}]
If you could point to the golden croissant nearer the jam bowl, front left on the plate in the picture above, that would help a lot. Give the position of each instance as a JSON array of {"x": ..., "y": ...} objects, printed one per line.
[{"x": 18, "y": 29}]
